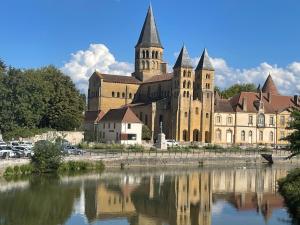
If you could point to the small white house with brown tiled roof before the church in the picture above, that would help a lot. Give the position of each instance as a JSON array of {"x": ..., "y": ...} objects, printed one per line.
[{"x": 120, "y": 126}]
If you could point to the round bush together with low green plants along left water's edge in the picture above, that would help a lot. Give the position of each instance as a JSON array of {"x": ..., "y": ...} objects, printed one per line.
[{"x": 48, "y": 159}]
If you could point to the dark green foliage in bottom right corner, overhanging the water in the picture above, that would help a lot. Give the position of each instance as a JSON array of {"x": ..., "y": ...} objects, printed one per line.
[{"x": 289, "y": 187}]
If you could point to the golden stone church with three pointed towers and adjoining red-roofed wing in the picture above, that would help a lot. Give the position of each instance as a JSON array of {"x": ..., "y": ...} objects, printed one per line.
[{"x": 184, "y": 101}]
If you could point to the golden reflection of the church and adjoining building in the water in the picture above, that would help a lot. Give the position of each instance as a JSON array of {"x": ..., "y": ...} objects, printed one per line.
[{"x": 184, "y": 199}]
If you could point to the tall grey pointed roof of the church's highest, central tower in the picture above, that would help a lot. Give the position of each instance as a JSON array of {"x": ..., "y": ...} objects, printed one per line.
[{"x": 149, "y": 36}]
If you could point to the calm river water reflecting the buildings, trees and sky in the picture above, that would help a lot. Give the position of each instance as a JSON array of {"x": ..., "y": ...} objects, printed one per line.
[{"x": 206, "y": 196}]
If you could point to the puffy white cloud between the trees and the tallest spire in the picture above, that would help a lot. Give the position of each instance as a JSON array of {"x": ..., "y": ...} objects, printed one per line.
[{"x": 97, "y": 57}]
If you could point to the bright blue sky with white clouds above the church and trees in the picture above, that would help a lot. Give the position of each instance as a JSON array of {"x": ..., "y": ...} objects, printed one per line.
[{"x": 246, "y": 39}]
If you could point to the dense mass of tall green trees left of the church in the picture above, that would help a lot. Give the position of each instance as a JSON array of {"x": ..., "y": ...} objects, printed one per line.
[{"x": 38, "y": 99}]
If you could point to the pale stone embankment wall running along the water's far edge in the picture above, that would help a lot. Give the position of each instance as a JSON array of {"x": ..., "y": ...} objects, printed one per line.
[{"x": 163, "y": 159}]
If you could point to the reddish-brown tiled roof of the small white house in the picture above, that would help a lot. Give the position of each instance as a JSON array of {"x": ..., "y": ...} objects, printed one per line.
[{"x": 124, "y": 115}]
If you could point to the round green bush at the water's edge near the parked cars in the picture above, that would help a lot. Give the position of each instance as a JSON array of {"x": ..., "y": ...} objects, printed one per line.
[{"x": 47, "y": 157}]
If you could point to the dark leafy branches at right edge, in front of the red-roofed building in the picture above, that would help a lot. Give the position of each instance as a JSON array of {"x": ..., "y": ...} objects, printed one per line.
[{"x": 294, "y": 138}]
